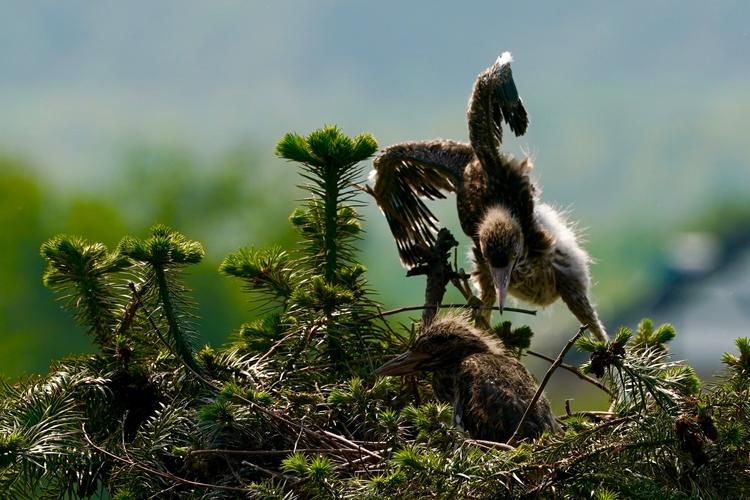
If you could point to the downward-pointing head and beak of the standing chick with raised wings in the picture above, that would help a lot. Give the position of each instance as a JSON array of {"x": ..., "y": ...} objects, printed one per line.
[{"x": 501, "y": 243}]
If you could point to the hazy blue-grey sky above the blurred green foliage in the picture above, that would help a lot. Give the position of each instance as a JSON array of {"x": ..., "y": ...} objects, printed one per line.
[{"x": 639, "y": 109}]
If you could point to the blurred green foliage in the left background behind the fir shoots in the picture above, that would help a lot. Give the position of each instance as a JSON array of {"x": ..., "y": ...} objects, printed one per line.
[{"x": 224, "y": 203}]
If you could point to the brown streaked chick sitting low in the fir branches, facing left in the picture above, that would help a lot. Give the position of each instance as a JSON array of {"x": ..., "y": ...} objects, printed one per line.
[{"x": 488, "y": 388}]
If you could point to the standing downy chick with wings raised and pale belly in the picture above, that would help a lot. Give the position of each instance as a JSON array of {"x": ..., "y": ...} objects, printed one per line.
[{"x": 521, "y": 247}]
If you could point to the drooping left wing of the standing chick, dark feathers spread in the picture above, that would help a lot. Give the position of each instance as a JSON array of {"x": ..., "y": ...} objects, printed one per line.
[{"x": 403, "y": 174}]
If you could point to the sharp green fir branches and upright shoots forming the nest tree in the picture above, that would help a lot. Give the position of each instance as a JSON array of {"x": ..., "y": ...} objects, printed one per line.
[{"x": 289, "y": 409}]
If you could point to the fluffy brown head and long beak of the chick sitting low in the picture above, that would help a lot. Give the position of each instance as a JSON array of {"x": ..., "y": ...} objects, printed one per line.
[{"x": 445, "y": 342}]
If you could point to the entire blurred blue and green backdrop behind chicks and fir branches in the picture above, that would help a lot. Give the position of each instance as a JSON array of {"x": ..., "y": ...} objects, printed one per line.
[{"x": 114, "y": 116}]
